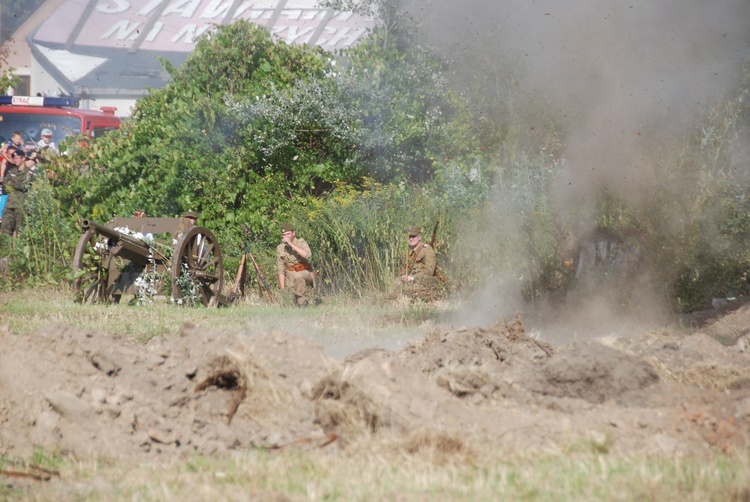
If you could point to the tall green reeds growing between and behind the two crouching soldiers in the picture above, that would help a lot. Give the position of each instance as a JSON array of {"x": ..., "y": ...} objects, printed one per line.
[{"x": 360, "y": 239}]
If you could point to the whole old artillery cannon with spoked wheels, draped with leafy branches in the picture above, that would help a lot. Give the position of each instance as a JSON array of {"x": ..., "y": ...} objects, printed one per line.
[{"x": 127, "y": 253}]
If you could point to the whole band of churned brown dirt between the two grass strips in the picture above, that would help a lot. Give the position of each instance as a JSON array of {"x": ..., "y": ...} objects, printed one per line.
[{"x": 662, "y": 392}]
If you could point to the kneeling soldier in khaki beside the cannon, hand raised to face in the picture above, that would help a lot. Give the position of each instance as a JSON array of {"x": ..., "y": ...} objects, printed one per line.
[{"x": 293, "y": 265}]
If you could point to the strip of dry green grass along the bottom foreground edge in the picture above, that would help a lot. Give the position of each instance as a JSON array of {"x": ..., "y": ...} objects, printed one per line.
[{"x": 379, "y": 474}]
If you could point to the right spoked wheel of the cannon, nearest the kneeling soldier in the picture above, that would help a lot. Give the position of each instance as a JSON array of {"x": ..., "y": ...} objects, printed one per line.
[{"x": 198, "y": 257}]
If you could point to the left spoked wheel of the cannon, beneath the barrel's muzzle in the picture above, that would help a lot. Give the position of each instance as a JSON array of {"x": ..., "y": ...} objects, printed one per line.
[{"x": 89, "y": 273}]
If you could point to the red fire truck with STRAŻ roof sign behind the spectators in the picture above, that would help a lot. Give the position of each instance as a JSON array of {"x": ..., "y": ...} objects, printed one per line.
[{"x": 61, "y": 115}]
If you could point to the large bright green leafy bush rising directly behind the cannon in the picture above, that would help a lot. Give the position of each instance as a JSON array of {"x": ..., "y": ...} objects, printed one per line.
[{"x": 185, "y": 149}]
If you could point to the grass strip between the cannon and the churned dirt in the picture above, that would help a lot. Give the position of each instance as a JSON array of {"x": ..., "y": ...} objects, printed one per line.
[{"x": 341, "y": 326}]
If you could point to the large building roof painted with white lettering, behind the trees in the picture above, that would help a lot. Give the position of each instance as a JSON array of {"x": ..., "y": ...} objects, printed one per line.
[{"x": 109, "y": 48}]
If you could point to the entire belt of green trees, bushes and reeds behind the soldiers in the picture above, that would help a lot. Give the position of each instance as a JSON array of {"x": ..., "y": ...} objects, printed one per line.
[{"x": 354, "y": 147}]
